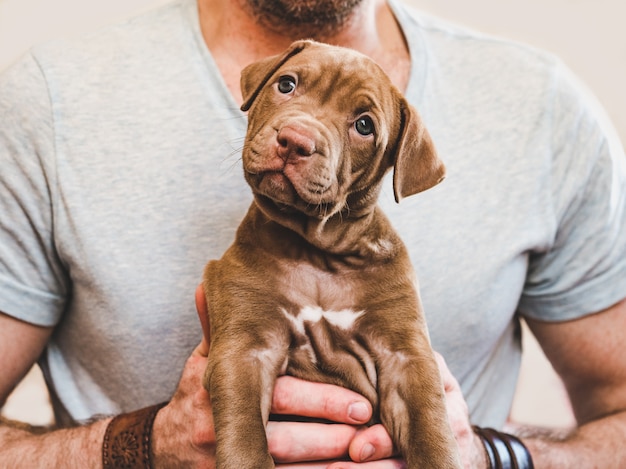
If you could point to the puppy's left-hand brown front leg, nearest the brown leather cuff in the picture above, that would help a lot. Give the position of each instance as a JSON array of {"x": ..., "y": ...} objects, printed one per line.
[{"x": 240, "y": 379}]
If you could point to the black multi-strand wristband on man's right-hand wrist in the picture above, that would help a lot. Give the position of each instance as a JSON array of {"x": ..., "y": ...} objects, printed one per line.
[{"x": 504, "y": 451}]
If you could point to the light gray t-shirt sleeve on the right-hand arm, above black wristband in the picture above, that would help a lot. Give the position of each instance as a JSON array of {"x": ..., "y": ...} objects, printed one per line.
[{"x": 583, "y": 271}]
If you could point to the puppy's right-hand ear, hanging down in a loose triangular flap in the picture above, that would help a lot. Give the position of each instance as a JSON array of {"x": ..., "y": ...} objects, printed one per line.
[{"x": 417, "y": 166}]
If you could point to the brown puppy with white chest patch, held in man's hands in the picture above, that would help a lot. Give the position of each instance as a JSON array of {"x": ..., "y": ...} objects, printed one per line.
[{"x": 317, "y": 284}]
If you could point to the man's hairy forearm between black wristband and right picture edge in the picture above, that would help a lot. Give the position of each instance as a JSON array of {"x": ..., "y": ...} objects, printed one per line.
[{"x": 599, "y": 443}]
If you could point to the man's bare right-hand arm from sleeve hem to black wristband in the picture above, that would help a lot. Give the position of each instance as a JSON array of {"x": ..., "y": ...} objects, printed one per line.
[{"x": 589, "y": 356}]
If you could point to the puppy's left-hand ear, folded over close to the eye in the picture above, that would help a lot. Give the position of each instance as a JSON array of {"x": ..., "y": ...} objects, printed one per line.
[{"x": 256, "y": 75}]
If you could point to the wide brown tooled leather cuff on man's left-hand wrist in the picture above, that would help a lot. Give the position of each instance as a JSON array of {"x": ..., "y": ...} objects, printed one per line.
[{"x": 126, "y": 442}]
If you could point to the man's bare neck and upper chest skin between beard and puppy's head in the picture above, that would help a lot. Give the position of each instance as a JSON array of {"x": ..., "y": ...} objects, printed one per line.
[{"x": 236, "y": 38}]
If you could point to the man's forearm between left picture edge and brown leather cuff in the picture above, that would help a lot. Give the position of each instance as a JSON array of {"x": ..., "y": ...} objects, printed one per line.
[{"x": 78, "y": 447}]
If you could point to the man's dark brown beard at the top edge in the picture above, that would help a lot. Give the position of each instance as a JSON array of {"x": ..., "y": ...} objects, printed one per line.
[{"x": 315, "y": 19}]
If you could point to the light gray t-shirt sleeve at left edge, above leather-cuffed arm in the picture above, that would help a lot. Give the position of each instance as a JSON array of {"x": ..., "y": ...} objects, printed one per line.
[{"x": 33, "y": 284}]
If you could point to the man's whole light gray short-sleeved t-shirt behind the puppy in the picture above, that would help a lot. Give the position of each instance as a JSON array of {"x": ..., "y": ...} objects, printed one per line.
[{"x": 120, "y": 177}]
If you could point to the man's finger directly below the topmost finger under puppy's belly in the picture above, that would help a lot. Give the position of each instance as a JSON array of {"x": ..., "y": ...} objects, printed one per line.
[{"x": 299, "y": 441}]
